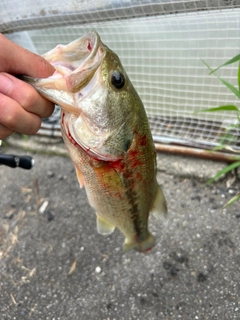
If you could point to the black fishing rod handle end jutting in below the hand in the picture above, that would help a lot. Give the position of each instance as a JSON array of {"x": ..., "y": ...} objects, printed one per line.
[{"x": 13, "y": 161}]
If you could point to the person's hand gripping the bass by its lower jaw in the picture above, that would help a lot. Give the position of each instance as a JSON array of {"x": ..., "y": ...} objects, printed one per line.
[{"x": 21, "y": 106}]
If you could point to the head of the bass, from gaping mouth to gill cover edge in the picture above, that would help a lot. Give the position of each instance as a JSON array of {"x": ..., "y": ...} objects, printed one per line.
[{"x": 99, "y": 103}]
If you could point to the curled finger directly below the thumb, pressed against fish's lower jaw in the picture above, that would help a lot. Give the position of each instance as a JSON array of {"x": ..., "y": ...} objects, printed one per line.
[{"x": 25, "y": 95}]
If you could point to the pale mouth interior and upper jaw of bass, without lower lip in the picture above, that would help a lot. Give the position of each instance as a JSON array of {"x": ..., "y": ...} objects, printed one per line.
[{"x": 76, "y": 62}]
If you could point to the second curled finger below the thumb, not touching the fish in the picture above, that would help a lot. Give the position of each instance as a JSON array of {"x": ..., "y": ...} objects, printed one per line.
[{"x": 15, "y": 118}]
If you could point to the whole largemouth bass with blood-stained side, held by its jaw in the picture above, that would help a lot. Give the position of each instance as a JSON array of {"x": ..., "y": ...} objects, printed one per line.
[{"x": 106, "y": 132}]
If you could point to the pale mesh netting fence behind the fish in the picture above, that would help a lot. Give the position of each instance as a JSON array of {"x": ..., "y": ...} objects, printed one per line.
[{"x": 161, "y": 44}]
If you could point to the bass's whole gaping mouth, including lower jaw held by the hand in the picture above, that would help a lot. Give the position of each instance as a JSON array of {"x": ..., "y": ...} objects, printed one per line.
[{"x": 75, "y": 65}]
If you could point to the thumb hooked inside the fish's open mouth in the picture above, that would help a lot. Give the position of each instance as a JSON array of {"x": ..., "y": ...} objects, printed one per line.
[{"x": 17, "y": 60}]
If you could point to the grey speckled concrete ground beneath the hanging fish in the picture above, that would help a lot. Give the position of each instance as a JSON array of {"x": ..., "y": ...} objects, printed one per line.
[{"x": 54, "y": 265}]
